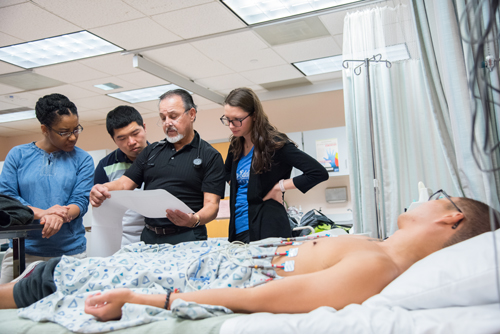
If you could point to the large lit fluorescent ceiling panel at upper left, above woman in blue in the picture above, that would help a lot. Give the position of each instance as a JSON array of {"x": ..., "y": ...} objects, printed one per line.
[{"x": 56, "y": 50}]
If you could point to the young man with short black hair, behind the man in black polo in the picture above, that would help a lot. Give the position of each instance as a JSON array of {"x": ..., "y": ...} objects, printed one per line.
[{"x": 128, "y": 130}]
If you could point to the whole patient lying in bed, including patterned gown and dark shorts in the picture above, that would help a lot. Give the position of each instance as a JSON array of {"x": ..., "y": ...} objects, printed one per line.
[{"x": 354, "y": 268}]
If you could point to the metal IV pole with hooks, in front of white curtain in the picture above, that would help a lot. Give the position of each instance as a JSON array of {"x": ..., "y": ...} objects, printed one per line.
[{"x": 357, "y": 70}]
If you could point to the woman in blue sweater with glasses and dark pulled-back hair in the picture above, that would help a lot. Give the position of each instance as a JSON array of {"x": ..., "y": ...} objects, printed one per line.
[{"x": 53, "y": 177}]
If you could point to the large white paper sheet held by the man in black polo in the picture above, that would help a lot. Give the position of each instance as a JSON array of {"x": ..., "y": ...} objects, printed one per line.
[{"x": 107, "y": 226}]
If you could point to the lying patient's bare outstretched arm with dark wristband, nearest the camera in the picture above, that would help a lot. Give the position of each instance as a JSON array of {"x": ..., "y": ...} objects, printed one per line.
[{"x": 352, "y": 280}]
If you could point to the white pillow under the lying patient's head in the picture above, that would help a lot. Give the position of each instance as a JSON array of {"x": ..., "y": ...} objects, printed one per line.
[{"x": 459, "y": 275}]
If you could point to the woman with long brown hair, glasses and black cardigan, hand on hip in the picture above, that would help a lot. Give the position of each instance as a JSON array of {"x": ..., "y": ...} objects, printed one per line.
[{"x": 258, "y": 167}]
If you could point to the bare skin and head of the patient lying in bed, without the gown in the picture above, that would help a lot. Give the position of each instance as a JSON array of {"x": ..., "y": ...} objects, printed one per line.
[{"x": 331, "y": 272}]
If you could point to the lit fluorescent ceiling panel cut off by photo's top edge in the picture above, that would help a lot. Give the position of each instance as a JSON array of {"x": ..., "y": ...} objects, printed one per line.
[{"x": 256, "y": 11}]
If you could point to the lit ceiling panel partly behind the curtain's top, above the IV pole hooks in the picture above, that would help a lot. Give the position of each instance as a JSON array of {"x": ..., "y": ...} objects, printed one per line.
[{"x": 391, "y": 53}]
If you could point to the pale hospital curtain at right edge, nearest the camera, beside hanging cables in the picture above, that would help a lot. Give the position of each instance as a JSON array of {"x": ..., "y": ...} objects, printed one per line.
[{"x": 444, "y": 30}]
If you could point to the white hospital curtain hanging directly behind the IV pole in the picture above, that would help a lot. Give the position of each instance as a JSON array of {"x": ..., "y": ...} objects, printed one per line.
[{"x": 407, "y": 141}]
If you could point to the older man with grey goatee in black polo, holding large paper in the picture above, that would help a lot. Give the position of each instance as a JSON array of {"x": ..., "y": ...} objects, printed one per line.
[{"x": 184, "y": 165}]
